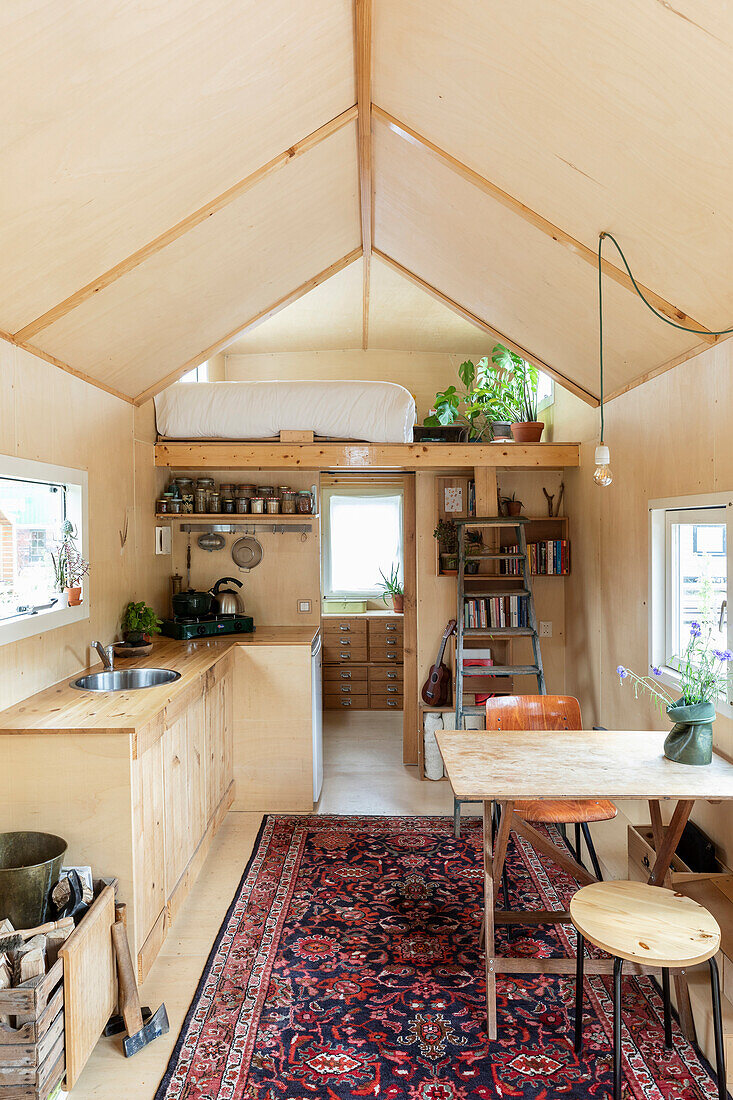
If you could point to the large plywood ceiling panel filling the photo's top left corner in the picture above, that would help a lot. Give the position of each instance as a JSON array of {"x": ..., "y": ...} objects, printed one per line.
[{"x": 125, "y": 119}]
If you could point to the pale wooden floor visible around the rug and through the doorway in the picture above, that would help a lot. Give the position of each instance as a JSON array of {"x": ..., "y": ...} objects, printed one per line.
[{"x": 364, "y": 774}]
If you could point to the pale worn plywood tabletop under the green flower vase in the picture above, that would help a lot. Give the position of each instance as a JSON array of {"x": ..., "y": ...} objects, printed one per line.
[{"x": 583, "y": 764}]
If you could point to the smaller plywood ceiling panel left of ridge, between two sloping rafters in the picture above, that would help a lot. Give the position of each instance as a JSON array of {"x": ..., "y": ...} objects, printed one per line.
[{"x": 240, "y": 261}]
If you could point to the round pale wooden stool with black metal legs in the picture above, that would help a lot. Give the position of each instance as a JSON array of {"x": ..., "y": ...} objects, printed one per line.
[{"x": 660, "y": 928}]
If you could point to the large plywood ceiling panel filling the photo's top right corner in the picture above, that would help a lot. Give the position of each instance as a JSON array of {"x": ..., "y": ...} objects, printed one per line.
[{"x": 600, "y": 116}]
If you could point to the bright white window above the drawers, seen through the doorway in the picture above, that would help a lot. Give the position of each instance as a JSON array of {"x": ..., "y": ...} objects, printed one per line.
[{"x": 363, "y": 540}]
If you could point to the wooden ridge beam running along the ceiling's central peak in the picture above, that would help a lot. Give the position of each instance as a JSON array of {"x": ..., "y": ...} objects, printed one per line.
[{"x": 364, "y": 62}]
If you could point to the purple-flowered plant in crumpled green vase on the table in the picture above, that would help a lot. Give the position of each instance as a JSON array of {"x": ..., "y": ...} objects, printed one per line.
[{"x": 704, "y": 674}]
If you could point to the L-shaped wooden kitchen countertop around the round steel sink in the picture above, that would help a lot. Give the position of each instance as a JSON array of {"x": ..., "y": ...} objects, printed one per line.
[{"x": 64, "y": 710}]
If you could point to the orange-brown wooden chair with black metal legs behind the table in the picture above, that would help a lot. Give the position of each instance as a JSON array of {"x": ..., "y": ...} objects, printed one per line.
[{"x": 551, "y": 712}]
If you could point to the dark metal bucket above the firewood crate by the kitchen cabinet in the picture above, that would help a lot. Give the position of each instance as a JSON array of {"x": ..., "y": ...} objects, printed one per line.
[{"x": 30, "y": 866}]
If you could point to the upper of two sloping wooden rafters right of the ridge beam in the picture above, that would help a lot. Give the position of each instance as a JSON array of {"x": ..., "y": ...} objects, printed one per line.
[{"x": 590, "y": 256}]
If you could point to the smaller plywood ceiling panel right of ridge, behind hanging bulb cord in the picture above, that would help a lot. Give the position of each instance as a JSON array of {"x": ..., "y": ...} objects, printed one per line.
[{"x": 496, "y": 265}]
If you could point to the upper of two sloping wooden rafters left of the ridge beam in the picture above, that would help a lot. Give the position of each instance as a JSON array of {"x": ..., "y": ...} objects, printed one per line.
[{"x": 183, "y": 227}]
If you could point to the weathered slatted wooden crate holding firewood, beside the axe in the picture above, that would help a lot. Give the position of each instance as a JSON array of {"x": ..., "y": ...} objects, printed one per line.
[{"x": 32, "y": 1057}]
